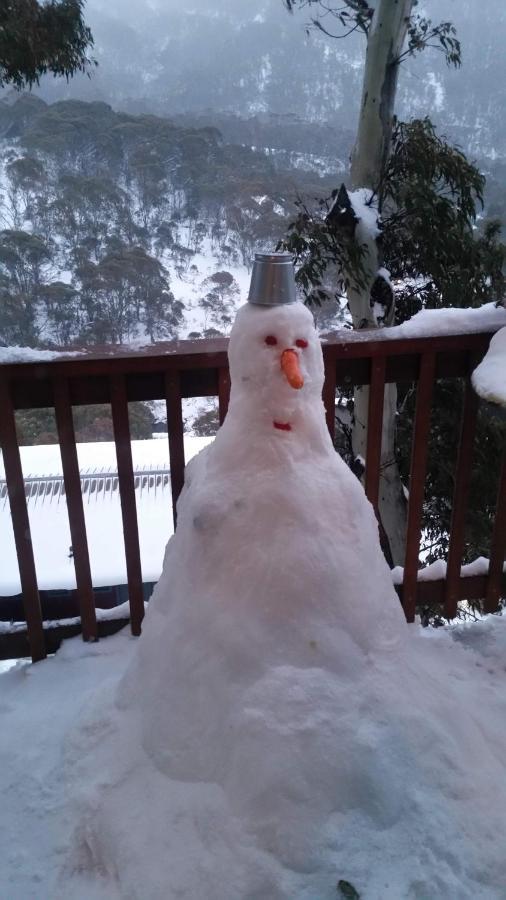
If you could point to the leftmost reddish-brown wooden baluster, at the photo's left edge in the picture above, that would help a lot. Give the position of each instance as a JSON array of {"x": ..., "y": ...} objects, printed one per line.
[{"x": 21, "y": 524}]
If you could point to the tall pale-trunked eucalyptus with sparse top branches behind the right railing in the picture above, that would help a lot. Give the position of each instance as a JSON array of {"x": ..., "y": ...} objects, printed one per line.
[{"x": 393, "y": 31}]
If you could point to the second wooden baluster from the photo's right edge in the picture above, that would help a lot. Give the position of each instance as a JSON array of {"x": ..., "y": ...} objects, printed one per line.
[{"x": 460, "y": 500}]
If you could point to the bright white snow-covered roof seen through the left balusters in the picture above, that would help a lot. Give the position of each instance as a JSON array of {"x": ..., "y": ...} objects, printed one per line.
[{"x": 49, "y": 523}]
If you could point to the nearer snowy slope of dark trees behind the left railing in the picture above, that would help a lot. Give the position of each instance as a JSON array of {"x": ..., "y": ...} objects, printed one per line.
[{"x": 104, "y": 213}]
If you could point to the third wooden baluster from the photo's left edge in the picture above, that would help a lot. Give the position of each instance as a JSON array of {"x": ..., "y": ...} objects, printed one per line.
[{"x": 119, "y": 404}]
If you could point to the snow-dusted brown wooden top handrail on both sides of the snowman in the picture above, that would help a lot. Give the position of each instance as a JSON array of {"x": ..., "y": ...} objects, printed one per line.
[{"x": 199, "y": 364}]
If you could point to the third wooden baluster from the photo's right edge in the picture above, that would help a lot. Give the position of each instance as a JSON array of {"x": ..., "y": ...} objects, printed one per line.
[{"x": 417, "y": 481}]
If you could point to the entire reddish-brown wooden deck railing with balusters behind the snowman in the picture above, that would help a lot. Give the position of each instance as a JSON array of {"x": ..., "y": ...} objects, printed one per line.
[{"x": 182, "y": 369}]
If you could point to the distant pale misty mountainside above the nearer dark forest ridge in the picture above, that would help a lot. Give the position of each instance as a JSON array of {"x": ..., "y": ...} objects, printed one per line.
[{"x": 256, "y": 60}]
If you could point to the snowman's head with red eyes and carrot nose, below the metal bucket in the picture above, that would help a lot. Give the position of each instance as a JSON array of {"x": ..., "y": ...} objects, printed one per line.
[{"x": 276, "y": 363}]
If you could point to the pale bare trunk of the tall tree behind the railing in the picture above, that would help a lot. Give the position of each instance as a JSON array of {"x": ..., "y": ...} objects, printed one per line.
[{"x": 385, "y": 41}]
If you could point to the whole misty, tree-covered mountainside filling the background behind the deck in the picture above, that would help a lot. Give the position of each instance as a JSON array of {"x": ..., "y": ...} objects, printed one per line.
[{"x": 133, "y": 200}]
